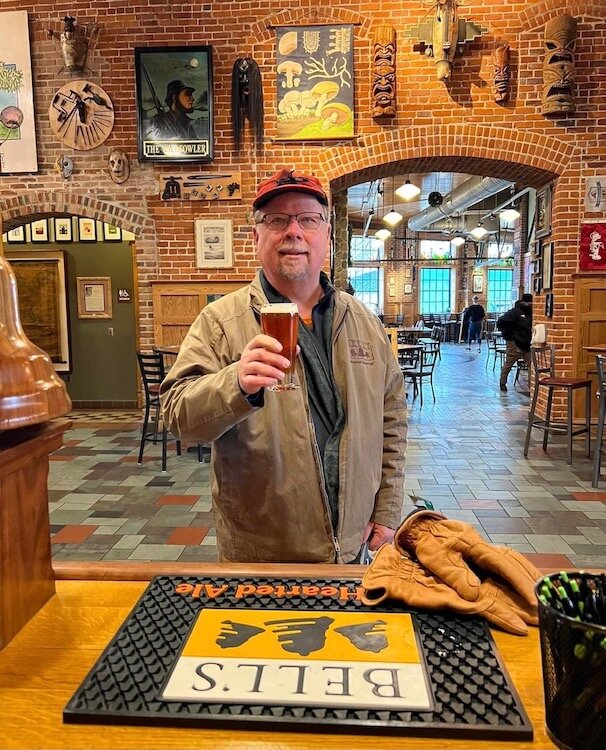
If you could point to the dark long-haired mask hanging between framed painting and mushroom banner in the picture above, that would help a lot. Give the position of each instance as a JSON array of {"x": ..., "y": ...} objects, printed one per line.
[{"x": 246, "y": 100}]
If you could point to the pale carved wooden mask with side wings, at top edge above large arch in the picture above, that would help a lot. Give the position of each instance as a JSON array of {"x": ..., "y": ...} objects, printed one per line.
[{"x": 443, "y": 35}]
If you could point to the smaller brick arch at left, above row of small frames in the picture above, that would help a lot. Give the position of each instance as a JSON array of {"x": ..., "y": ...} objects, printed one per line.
[{"x": 41, "y": 203}]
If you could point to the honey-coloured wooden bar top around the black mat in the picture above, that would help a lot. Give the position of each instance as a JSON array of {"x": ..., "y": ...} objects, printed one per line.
[{"x": 44, "y": 664}]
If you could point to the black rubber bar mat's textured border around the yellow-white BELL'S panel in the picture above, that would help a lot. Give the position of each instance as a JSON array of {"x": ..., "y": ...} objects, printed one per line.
[{"x": 472, "y": 693}]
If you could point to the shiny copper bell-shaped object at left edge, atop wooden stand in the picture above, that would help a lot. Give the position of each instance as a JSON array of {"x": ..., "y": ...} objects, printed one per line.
[{"x": 31, "y": 392}]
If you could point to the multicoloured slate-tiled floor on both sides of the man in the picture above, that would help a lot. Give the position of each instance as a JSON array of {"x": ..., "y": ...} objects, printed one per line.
[{"x": 464, "y": 455}]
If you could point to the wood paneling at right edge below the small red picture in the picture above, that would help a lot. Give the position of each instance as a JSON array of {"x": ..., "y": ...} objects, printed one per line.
[{"x": 590, "y": 329}]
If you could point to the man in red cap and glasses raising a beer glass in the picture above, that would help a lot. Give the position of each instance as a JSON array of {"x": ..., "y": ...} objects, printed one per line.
[{"x": 304, "y": 475}]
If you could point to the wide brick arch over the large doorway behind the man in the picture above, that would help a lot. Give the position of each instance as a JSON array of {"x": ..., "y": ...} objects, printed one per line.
[{"x": 525, "y": 157}]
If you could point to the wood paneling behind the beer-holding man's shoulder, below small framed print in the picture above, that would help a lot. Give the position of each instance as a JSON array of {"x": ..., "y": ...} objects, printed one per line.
[{"x": 176, "y": 305}]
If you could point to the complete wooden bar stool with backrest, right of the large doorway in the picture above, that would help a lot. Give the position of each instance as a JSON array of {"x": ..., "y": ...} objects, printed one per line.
[{"x": 543, "y": 367}]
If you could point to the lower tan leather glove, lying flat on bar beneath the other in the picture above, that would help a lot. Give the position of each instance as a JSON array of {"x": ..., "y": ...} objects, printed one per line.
[{"x": 395, "y": 576}]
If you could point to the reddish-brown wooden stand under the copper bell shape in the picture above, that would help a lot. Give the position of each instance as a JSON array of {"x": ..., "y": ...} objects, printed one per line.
[{"x": 26, "y": 576}]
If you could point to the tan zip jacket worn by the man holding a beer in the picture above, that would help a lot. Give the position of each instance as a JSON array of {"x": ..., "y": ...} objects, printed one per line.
[{"x": 267, "y": 481}]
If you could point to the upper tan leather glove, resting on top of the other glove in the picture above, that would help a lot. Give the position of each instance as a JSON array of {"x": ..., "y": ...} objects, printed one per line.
[{"x": 456, "y": 553}]
